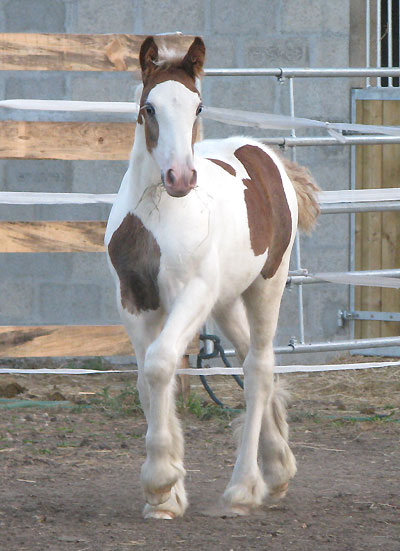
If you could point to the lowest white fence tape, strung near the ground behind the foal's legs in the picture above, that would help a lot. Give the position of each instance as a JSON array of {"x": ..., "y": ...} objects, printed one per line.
[{"x": 208, "y": 370}]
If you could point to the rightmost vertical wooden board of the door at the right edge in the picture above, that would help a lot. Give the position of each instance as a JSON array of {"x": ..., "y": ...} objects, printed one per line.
[{"x": 390, "y": 220}]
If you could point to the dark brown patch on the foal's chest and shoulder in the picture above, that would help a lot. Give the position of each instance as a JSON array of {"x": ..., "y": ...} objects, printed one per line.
[{"x": 135, "y": 255}]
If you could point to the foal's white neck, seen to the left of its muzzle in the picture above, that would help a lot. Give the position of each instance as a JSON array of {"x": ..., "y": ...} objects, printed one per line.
[{"x": 144, "y": 171}]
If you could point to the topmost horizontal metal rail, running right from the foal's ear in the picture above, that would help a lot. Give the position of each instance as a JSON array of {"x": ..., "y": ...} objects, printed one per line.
[{"x": 290, "y": 72}]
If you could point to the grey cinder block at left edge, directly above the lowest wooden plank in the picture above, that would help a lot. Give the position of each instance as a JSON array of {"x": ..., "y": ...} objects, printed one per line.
[{"x": 17, "y": 301}]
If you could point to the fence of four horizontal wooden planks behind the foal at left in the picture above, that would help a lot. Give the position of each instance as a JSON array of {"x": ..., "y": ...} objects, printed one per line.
[{"x": 66, "y": 141}]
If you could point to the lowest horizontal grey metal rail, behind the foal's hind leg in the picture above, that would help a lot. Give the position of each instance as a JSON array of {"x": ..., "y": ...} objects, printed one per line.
[{"x": 297, "y": 348}]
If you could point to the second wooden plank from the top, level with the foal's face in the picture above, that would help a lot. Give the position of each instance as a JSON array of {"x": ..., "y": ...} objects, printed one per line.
[{"x": 66, "y": 140}]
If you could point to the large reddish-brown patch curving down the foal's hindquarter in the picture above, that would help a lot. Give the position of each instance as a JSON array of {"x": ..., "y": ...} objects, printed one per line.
[{"x": 270, "y": 220}]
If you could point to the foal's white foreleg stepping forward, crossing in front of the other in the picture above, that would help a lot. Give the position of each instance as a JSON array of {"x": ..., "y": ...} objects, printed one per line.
[{"x": 163, "y": 469}]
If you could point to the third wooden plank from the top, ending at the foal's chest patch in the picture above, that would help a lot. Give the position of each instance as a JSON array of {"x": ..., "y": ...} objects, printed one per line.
[{"x": 53, "y": 237}]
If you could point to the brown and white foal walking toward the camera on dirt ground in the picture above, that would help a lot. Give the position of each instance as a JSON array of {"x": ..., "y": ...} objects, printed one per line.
[{"x": 198, "y": 230}]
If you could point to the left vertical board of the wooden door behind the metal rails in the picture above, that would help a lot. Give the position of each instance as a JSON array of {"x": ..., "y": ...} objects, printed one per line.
[{"x": 371, "y": 247}]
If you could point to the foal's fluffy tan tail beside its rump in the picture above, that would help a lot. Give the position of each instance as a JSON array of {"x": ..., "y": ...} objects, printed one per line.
[{"x": 306, "y": 191}]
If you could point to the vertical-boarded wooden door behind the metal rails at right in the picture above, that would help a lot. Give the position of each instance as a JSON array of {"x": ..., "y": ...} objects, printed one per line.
[{"x": 377, "y": 233}]
